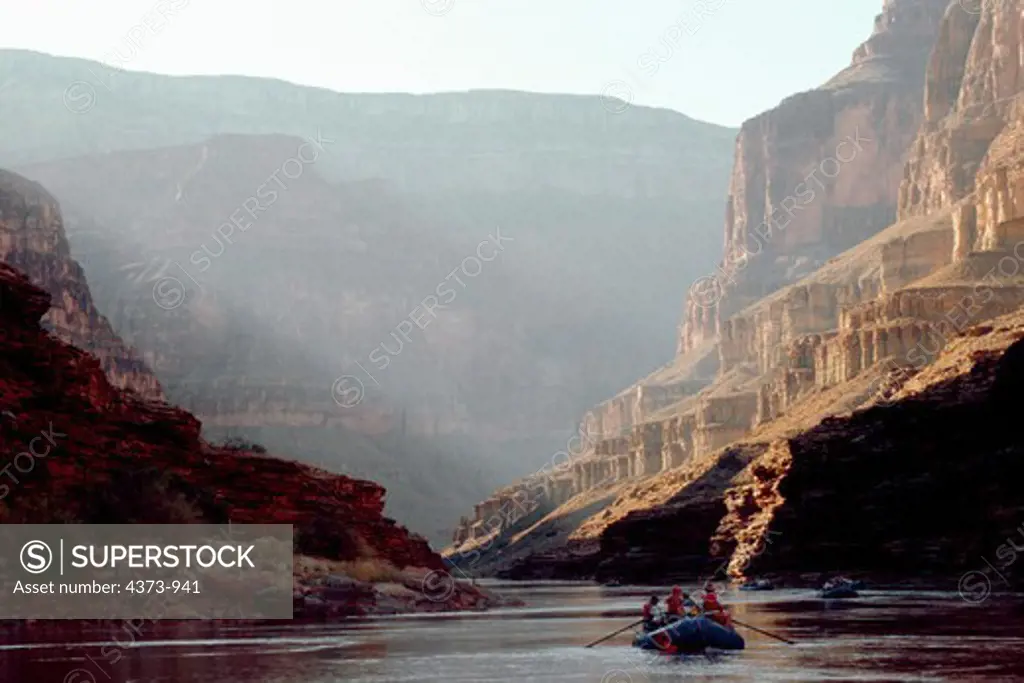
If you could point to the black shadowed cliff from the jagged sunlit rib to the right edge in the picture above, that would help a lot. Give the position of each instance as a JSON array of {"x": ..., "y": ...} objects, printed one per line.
[{"x": 922, "y": 489}]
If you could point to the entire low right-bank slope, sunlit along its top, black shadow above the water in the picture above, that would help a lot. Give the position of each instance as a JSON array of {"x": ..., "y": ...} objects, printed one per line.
[{"x": 920, "y": 489}]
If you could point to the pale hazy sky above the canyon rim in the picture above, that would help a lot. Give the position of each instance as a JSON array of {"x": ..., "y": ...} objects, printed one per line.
[{"x": 724, "y": 63}]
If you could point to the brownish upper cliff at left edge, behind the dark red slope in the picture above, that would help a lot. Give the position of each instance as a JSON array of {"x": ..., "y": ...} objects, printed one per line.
[{"x": 32, "y": 239}]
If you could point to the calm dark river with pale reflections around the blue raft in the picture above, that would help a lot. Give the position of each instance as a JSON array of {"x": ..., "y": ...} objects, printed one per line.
[{"x": 882, "y": 636}]
